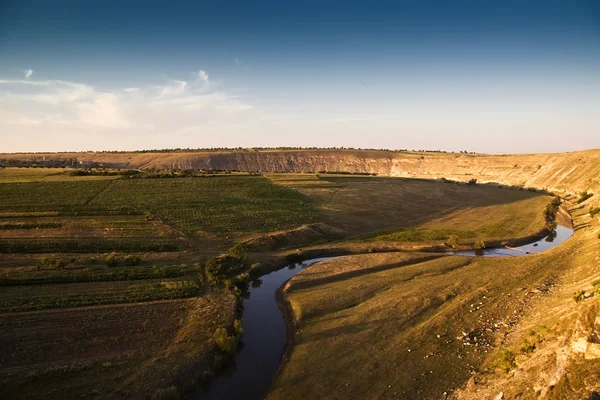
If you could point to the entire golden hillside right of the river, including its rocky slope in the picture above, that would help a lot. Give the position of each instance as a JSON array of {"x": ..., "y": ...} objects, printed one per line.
[{"x": 466, "y": 328}]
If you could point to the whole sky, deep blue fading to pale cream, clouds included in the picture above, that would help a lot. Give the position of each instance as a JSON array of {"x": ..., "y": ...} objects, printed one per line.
[{"x": 487, "y": 76}]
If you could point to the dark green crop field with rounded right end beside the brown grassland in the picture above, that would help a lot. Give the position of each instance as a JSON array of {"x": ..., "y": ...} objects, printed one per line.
[{"x": 219, "y": 205}]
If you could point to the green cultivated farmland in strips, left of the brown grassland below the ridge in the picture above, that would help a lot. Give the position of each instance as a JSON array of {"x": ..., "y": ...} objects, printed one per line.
[{"x": 146, "y": 214}]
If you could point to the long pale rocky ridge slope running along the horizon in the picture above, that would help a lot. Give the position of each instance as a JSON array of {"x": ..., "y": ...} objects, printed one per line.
[{"x": 574, "y": 171}]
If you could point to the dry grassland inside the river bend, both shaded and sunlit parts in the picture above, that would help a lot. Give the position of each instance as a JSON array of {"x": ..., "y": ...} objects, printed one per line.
[{"x": 379, "y": 206}]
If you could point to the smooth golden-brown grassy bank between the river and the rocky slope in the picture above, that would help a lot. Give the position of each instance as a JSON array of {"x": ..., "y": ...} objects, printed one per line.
[{"x": 353, "y": 329}]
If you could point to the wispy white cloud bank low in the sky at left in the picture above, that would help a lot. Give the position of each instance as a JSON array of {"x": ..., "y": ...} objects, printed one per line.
[{"x": 81, "y": 116}]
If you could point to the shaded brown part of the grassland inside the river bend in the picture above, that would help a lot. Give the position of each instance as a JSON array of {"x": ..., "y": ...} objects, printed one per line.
[{"x": 371, "y": 204}]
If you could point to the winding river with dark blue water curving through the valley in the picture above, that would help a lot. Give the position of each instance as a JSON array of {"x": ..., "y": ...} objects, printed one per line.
[{"x": 264, "y": 336}]
